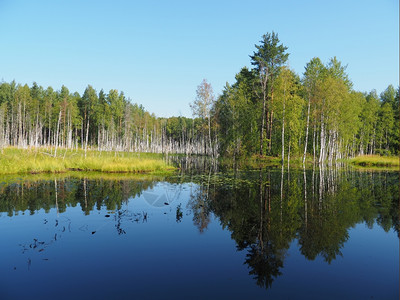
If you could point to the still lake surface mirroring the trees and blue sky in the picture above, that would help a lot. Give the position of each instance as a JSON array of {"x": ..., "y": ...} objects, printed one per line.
[{"x": 272, "y": 234}]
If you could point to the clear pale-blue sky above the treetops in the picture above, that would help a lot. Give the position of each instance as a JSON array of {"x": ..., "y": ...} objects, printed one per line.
[{"x": 158, "y": 52}]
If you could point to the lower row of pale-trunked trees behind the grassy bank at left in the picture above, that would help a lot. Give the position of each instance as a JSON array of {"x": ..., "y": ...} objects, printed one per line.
[{"x": 37, "y": 116}]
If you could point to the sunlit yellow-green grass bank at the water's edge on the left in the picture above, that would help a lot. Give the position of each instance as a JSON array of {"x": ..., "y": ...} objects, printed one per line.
[{"x": 42, "y": 160}]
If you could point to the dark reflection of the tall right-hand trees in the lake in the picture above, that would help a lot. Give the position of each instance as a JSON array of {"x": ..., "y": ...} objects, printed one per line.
[{"x": 266, "y": 211}]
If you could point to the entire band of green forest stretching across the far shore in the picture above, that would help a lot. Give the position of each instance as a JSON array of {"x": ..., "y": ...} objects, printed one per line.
[{"x": 268, "y": 111}]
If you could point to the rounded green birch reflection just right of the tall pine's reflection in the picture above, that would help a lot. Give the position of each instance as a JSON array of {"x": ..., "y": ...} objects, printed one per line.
[{"x": 328, "y": 217}]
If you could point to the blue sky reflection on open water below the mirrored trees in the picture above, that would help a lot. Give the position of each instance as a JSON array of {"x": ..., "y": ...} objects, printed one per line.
[{"x": 160, "y": 257}]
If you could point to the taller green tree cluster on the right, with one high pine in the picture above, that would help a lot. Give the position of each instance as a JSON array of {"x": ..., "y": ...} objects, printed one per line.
[{"x": 271, "y": 110}]
